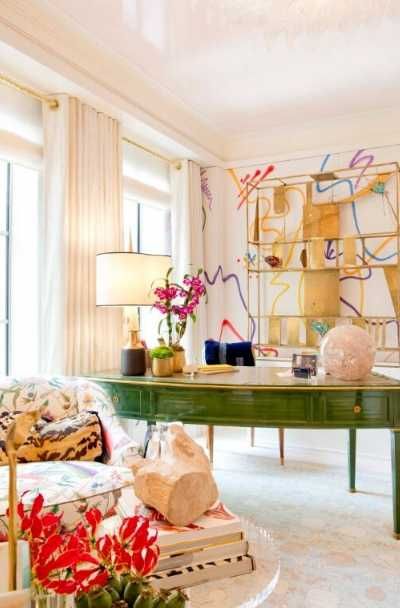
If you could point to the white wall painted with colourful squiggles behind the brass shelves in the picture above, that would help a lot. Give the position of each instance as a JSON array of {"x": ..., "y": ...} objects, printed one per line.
[{"x": 268, "y": 230}]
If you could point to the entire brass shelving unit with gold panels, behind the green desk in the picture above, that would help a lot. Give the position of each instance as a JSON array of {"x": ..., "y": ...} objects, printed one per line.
[{"x": 327, "y": 255}]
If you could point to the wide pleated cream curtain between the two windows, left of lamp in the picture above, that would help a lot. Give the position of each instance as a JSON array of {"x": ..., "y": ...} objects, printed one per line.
[{"x": 82, "y": 216}]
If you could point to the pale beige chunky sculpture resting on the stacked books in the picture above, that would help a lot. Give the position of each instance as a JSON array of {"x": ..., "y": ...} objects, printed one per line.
[{"x": 179, "y": 483}]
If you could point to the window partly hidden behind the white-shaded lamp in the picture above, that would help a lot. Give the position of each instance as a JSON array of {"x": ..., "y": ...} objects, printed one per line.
[{"x": 147, "y": 230}]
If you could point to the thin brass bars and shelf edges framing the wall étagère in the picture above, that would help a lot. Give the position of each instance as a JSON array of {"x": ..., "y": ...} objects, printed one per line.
[{"x": 257, "y": 245}]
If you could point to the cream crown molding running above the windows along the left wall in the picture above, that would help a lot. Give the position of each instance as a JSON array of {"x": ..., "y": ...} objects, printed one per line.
[{"x": 52, "y": 39}]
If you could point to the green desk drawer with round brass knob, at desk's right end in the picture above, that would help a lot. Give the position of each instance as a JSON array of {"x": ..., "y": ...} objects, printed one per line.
[{"x": 366, "y": 409}]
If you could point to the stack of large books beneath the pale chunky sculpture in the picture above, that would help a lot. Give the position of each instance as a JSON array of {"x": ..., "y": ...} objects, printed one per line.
[{"x": 211, "y": 548}]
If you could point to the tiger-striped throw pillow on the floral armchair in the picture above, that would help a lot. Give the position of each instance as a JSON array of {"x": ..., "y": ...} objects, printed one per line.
[{"x": 77, "y": 437}]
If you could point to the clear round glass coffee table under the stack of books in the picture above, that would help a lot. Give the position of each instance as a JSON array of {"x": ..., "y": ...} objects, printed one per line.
[{"x": 247, "y": 590}]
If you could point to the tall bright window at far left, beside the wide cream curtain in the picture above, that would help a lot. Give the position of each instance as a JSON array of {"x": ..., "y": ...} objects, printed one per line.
[{"x": 19, "y": 268}]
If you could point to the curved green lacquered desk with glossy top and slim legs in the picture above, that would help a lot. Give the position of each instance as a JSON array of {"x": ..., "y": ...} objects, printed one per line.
[{"x": 267, "y": 397}]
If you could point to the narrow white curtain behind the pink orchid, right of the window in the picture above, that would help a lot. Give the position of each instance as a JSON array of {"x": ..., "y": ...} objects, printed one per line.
[{"x": 187, "y": 243}]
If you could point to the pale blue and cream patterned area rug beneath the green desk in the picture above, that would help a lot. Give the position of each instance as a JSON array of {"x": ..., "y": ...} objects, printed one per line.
[{"x": 336, "y": 548}]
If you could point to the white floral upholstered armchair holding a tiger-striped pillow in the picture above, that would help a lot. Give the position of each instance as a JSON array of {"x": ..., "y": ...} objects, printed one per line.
[{"x": 69, "y": 479}]
